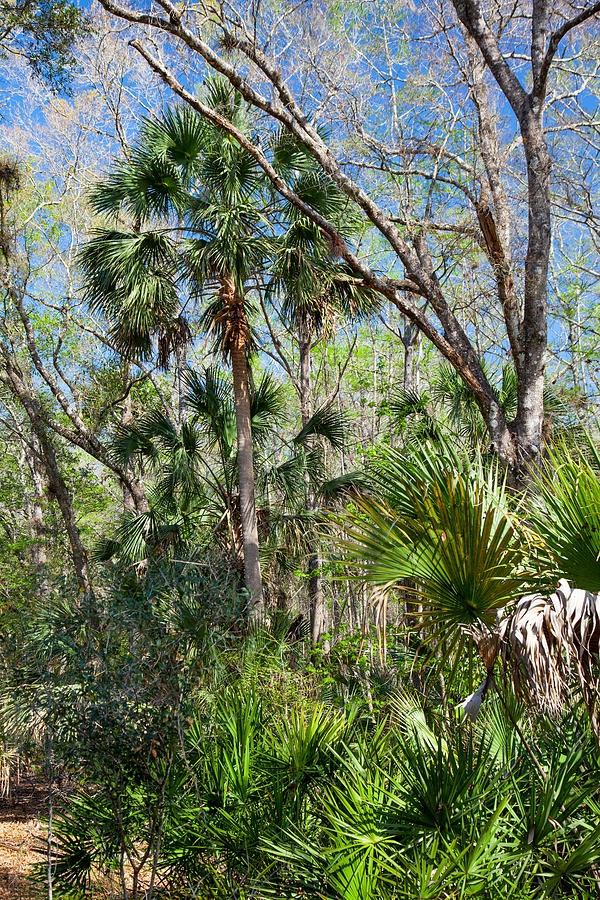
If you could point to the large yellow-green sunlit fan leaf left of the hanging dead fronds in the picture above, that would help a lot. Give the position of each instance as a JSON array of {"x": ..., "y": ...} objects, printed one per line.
[{"x": 464, "y": 562}]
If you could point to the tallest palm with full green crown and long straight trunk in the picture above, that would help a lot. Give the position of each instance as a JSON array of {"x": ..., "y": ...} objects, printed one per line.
[{"x": 193, "y": 195}]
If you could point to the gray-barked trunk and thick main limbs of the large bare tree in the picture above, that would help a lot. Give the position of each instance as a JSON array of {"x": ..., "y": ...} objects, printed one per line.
[{"x": 517, "y": 442}]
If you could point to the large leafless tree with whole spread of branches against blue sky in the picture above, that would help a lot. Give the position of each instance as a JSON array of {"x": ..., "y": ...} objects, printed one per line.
[{"x": 282, "y": 62}]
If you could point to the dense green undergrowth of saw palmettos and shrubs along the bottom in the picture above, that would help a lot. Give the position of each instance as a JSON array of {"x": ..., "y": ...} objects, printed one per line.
[{"x": 212, "y": 762}]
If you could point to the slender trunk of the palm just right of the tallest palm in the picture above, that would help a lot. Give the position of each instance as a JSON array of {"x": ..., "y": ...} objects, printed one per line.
[{"x": 318, "y": 624}]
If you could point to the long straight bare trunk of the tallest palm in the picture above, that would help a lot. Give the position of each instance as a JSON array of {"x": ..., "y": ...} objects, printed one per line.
[{"x": 241, "y": 393}]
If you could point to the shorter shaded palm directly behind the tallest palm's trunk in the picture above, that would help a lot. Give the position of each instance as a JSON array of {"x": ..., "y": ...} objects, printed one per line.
[{"x": 191, "y": 471}]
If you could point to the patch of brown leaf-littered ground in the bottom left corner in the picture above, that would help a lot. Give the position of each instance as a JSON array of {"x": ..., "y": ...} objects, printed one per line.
[{"x": 21, "y": 831}]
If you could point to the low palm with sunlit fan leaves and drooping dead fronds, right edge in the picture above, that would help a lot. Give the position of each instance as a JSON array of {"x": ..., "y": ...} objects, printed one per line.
[{"x": 486, "y": 574}]
